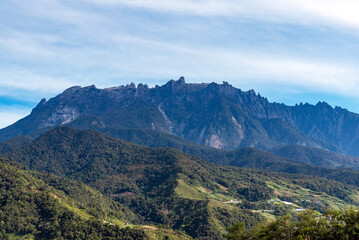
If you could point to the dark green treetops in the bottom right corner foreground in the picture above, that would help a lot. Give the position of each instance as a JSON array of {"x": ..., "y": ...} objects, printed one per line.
[{"x": 333, "y": 225}]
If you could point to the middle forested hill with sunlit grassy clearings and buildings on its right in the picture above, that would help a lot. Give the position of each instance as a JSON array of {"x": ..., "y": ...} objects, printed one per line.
[{"x": 164, "y": 186}]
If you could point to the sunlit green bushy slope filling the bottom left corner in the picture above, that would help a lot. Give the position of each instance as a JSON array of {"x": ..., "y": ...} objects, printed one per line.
[{"x": 67, "y": 209}]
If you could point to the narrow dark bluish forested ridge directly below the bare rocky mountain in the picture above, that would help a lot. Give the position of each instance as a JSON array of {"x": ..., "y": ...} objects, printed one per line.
[{"x": 295, "y": 160}]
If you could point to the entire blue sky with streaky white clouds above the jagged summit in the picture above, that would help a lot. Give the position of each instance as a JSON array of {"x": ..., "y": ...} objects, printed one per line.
[{"x": 290, "y": 51}]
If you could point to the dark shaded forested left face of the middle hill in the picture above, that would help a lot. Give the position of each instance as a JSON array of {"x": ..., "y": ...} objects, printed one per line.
[{"x": 145, "y": 179}]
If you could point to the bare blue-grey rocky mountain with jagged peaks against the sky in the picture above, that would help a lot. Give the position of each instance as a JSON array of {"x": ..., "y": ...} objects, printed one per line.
[{"x": 216, "y": 115}]
